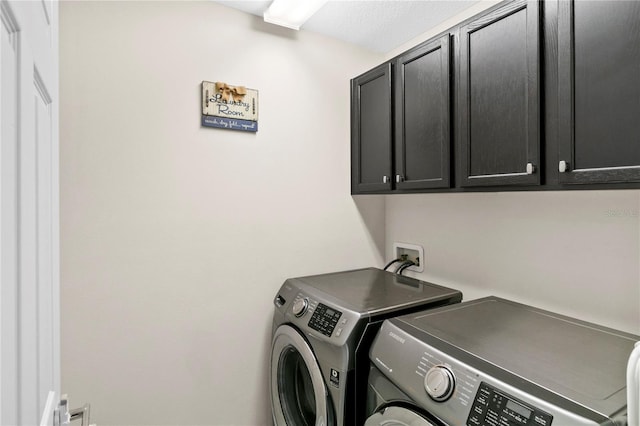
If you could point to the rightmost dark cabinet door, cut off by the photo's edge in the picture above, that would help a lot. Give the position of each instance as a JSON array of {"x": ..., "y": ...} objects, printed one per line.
[{"x": 599, "y": 91}]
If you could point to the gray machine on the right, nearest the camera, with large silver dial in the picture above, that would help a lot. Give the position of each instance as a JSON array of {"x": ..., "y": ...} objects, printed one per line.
[{"x": 493, "y": 362}]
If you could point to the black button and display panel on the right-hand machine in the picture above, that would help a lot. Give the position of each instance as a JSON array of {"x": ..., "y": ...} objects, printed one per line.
[{"x": 494, "y": 408}]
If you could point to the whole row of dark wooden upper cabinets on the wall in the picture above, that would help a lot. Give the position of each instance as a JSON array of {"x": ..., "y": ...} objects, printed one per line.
[{"x": 481, "y": 83}]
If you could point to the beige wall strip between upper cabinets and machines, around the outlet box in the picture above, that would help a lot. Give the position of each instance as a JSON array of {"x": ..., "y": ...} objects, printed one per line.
[{"x": 575, "y": 253}]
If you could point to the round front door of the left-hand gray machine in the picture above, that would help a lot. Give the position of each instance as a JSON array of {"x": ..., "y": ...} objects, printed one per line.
[{"x": 299, "y": 396}]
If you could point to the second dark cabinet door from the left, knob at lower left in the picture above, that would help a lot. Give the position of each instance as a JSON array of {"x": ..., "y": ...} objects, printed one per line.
[{"x": 422, "y": 143}]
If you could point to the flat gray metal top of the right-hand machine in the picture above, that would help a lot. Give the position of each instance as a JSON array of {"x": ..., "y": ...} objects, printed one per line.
[{"x": 580, "y": 361}]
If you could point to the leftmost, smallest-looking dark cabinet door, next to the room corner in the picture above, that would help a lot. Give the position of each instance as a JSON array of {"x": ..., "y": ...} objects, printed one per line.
[{"x": 371, "y": 131}]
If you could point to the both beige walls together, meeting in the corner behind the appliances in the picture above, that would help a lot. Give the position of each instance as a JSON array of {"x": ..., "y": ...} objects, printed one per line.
[{"x": 175, "y": 238}]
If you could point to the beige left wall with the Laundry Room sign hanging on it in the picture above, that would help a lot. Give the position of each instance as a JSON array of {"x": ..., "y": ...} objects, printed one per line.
[{"x": 175, "y": 238}]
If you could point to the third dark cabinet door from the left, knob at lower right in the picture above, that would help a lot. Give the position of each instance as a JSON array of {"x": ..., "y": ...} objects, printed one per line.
[{"x": 499, "y": 97}]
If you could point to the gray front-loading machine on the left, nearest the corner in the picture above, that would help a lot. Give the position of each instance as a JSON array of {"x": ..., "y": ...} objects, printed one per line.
[{"x": 323, "y": 326}]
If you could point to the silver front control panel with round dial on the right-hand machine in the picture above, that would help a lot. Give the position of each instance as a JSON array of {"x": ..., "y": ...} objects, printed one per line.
[{"x": 483, "y": 395}]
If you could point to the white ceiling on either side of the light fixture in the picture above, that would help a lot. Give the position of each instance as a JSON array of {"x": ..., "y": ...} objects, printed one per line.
[{"x": 377, "y": 25}]
